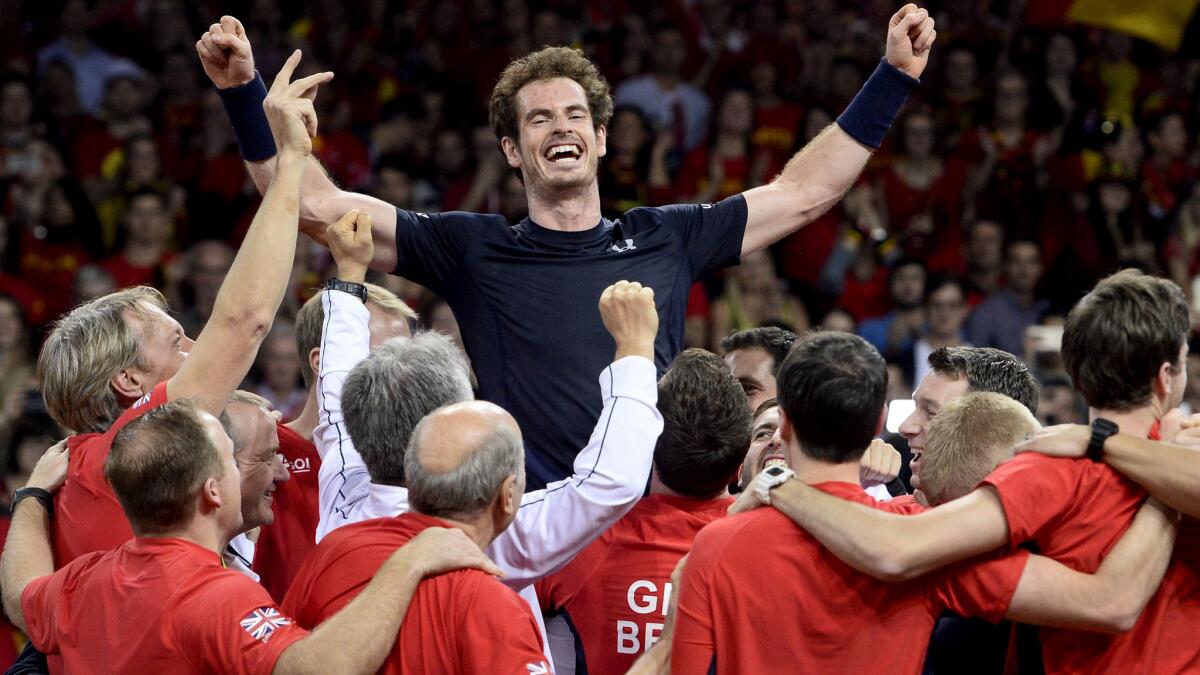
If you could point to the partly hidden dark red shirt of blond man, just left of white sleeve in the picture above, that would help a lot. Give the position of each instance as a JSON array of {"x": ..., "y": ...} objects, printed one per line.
[{"x": 285, "y": 545}]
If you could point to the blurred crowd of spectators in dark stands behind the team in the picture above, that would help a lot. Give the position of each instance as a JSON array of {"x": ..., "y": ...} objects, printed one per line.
[{"x": 1036, "y": 158}]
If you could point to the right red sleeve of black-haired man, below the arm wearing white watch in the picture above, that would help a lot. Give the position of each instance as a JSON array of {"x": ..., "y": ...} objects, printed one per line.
[{"x": 982, "y": 588}]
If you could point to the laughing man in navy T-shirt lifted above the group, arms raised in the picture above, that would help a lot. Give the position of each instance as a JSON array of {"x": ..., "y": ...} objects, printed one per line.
[{"x": 524, "y": 294}]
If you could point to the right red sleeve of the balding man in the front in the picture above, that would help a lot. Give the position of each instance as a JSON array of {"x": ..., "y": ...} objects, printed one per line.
[{"x": 499, "y": 632}]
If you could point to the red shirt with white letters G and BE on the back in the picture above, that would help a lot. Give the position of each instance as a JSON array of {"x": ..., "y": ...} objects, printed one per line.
[{"x": 617, "y": 590}]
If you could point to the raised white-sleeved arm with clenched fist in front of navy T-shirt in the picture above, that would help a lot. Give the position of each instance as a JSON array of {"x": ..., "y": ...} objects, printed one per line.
[{"x": 611, "y": 473}]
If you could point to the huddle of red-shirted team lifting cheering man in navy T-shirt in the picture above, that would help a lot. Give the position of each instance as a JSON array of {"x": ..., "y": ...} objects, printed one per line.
[{"x": 610, "y": 503}]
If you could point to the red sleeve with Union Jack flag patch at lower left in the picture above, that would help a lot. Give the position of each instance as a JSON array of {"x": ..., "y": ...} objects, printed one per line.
[{"x": 229, "y": 624}]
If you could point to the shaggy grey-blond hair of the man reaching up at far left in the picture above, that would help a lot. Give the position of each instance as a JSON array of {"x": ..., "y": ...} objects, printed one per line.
[{"x": 86, "y": 350}]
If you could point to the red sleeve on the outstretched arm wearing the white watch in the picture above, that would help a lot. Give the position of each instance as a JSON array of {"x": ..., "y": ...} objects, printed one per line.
[{"x": 1035, "y": 491}]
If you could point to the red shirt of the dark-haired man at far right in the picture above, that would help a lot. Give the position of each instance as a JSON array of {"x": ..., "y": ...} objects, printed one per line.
[{"x": 1077, "y": 511}]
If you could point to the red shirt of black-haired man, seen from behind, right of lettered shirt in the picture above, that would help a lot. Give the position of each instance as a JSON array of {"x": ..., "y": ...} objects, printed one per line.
[{"x": 760, "y": 595}]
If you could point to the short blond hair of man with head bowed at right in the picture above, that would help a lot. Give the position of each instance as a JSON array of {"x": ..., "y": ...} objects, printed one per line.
[{"x": 968, "y": 439}]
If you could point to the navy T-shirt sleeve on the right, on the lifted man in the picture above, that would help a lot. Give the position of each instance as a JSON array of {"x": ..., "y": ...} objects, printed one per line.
[{"x": 712, "y": 234}]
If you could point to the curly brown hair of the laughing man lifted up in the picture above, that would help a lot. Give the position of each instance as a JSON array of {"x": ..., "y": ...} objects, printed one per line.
[{"x": 547, "y": 64}]
